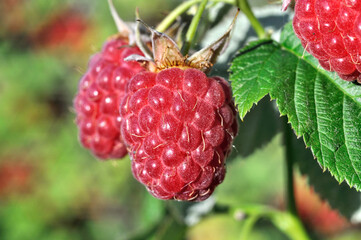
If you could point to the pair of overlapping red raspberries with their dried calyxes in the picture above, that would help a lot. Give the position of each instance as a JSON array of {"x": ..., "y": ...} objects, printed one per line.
[{"x": 176, "y": 123}]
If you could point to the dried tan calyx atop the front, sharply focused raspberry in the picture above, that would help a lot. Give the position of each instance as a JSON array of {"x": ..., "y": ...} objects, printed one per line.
[{"x": 166, "y": 53}]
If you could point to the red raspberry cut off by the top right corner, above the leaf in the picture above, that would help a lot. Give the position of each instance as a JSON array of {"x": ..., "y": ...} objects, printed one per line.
[{"x": 330, "y": 30}]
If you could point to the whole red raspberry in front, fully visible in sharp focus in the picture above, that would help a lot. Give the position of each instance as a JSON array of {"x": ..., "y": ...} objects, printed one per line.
[{"x": 179, "y": 125}]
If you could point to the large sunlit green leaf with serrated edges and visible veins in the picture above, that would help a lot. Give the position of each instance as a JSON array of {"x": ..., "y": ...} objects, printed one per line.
[{"x": 321, "y": 107}]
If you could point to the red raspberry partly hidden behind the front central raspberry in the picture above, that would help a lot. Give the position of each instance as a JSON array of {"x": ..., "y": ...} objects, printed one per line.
[{"x": 100, "y": 92}]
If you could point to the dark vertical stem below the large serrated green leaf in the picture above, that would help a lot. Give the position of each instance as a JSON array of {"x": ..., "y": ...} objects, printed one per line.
[{"x": 290, "y": 196}]
